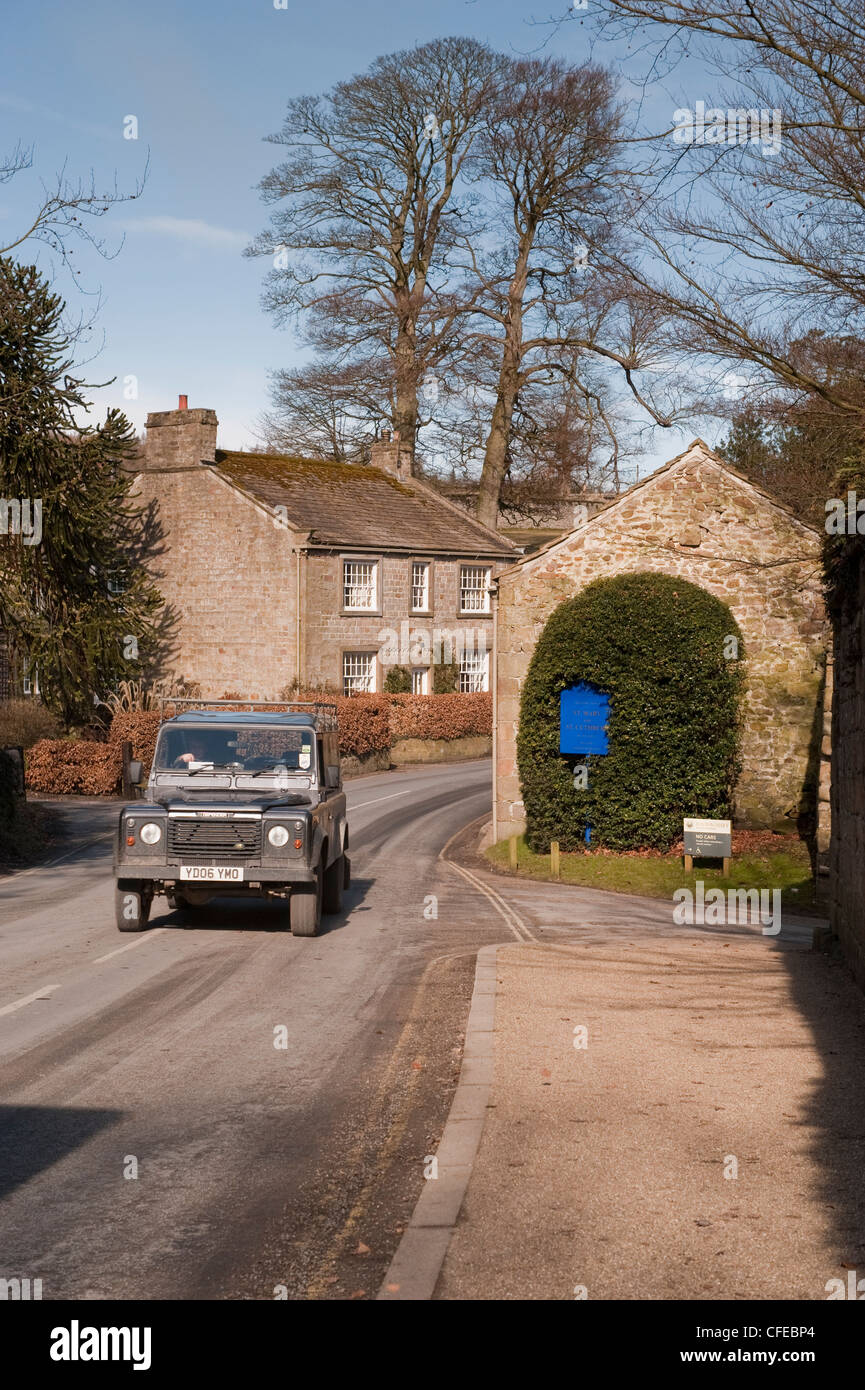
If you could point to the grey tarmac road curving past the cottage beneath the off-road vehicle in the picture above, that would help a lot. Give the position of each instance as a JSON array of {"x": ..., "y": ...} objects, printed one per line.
[{"x": 262, "y": 1171}]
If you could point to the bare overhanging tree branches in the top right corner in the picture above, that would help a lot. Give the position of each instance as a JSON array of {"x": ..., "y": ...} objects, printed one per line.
[{"x": 752, "y": 247}]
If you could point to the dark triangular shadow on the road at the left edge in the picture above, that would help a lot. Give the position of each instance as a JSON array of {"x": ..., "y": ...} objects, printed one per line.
[{"x": 34, "y": 1138}]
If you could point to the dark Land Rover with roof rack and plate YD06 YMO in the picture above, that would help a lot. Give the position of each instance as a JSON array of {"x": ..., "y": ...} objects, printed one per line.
[{"x": 243, "y": 804}]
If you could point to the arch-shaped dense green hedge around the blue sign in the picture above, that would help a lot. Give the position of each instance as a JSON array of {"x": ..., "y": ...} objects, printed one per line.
[{"x": 657, "y": 646}]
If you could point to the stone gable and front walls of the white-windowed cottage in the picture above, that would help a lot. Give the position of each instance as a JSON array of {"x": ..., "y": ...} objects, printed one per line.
[{"x": 230, "y": 572}]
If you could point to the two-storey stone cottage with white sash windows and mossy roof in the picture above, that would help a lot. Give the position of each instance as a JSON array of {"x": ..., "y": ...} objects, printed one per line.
[{"x": 287, "y": 569}]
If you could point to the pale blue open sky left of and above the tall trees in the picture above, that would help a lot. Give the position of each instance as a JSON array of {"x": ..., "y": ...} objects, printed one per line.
[{"x": 207, "y": 81}]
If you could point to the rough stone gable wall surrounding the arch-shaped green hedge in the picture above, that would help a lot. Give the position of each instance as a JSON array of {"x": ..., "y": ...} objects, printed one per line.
[{"x": 699, "y": 519}]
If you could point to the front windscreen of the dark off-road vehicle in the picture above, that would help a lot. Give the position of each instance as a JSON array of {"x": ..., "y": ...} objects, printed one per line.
[{"x": 243, "y": 749}]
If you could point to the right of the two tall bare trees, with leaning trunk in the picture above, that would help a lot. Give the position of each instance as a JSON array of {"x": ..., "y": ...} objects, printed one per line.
[{"x": 550, "y": 301}]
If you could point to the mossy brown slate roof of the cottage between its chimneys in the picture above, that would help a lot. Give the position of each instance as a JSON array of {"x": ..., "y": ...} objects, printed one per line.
[{"x": 357, "y": 507}]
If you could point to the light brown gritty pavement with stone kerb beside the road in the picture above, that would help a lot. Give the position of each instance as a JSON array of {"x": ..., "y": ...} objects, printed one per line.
[{"x": 672, "y": 1113}]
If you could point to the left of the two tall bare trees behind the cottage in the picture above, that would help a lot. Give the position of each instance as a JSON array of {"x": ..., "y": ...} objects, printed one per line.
[{"x": 365, "y": 211}]
